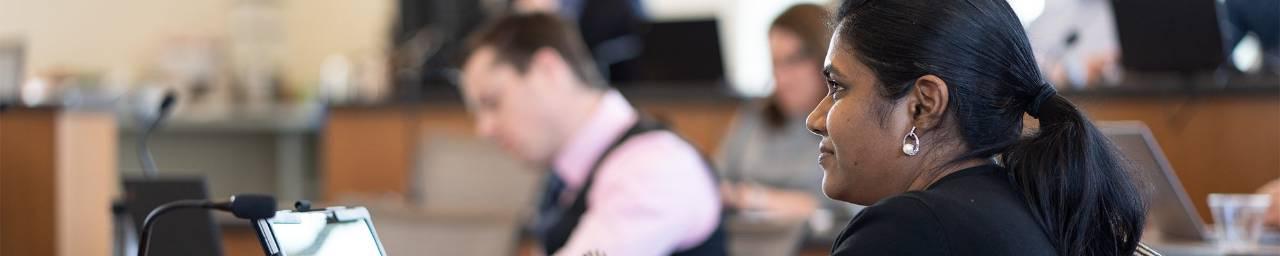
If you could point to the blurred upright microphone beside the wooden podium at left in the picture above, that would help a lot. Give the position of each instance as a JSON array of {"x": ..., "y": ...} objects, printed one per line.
[{"x": 150, "y": 122}]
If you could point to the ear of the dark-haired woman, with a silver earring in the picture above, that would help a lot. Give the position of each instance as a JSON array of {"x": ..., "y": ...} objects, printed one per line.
[{"x": 929, "y": 102}]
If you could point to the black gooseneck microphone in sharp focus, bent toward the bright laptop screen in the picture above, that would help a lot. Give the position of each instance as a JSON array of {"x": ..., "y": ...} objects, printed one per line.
[{"x": 244, "y": 207}]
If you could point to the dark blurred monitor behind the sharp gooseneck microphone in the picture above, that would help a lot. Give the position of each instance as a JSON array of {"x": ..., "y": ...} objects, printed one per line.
[{"x": 185, "y": 232}]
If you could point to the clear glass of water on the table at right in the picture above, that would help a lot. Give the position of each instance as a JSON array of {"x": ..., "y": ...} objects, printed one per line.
[{"x": 1238, "y": 220}]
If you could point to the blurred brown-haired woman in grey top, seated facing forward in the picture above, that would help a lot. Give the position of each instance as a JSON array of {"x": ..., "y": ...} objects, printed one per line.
[{"x": 765, "y": 158}]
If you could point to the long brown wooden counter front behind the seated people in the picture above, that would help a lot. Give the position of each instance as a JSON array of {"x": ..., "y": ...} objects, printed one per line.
[{"x": 1220, "y": 144}]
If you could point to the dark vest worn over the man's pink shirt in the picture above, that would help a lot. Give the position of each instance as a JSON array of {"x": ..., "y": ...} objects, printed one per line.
[{"x": 561, "y": 227}]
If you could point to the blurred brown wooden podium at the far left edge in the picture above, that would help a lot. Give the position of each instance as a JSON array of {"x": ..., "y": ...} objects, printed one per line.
[{"x": 57, "y": 182}]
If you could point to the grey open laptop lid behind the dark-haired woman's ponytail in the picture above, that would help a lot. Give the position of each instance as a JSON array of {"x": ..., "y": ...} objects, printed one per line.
[{"x": 1172, "y": 214}]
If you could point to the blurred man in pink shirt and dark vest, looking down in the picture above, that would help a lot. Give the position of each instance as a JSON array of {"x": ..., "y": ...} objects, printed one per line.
[{"x": 620, "y": 185}]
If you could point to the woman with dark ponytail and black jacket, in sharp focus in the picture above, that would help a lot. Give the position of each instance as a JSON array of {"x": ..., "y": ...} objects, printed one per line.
[{"x": 924, "y": 122}]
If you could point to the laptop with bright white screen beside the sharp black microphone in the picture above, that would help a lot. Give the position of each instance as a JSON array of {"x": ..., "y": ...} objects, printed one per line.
[{"x": 328, "y": 232}]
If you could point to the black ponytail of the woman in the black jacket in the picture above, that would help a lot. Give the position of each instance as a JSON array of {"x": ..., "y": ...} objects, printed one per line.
[{"x": 1076, "y": 184}]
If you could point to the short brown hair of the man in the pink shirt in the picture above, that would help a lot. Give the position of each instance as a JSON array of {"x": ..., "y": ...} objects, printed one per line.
[{"x": 518, "y": 38}]
